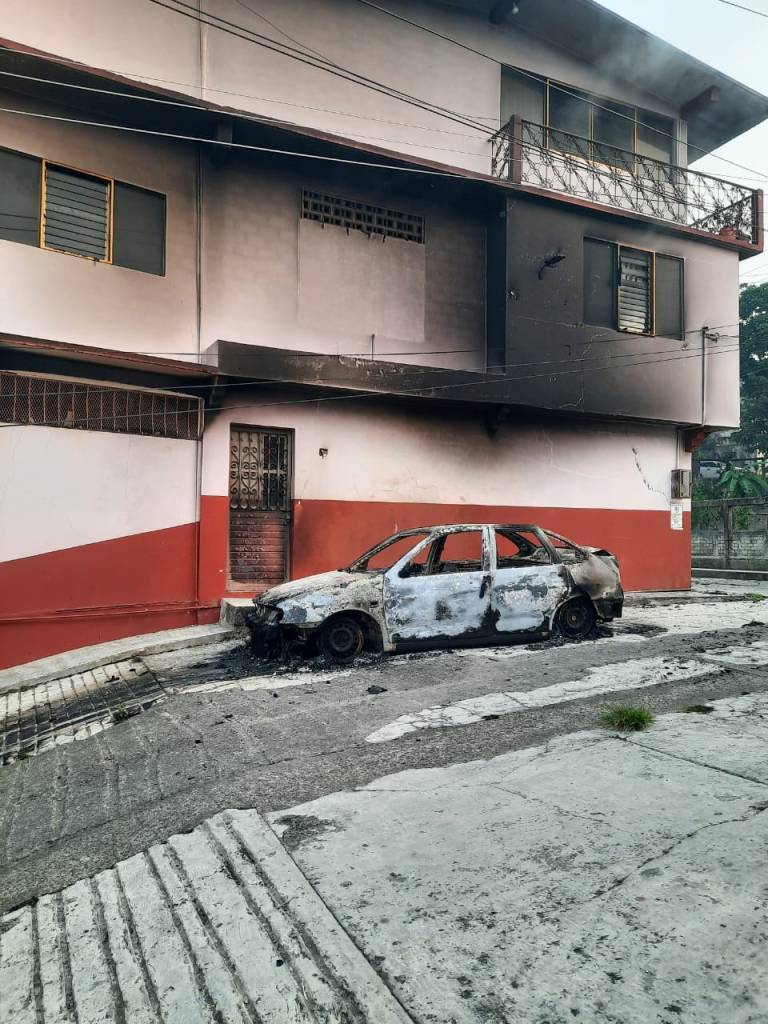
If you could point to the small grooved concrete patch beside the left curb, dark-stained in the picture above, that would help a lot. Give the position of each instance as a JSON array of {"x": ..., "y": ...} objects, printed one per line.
[{"x": 73, "y": 708}]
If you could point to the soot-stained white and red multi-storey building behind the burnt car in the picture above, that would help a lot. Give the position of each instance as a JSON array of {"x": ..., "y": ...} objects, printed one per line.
[{"x": 277, "y": 283}]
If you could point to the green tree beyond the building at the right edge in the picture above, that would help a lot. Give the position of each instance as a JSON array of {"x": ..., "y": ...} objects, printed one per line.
[{"x": 753, "y": 436}]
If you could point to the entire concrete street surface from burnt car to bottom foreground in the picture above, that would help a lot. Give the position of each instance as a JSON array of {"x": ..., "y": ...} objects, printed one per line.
[{"x": 448, "y": 837}]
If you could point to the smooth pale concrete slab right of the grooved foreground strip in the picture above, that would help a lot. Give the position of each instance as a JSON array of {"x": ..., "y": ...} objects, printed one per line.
[{"x": 595, "y": 878}]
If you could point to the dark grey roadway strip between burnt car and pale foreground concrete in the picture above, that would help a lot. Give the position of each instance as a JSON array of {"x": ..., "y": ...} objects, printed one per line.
[{"x": 80, "y": 808}]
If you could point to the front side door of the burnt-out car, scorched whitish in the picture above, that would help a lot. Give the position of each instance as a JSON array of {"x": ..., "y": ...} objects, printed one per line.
[{"x": 446, "y": 599}]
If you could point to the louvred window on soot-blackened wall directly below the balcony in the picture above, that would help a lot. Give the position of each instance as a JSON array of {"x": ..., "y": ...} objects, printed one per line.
[{"x": 633, "y": 290}]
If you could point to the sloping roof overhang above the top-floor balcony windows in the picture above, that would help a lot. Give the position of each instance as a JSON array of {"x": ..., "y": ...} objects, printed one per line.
[{"x": 718, "y": 108}]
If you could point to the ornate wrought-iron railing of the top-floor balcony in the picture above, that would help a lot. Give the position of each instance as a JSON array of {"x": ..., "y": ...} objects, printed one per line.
[{"x": 533, "y": 155}]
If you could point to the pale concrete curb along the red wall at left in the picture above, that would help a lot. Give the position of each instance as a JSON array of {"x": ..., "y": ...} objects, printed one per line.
[{"x": 22, "y": 677}]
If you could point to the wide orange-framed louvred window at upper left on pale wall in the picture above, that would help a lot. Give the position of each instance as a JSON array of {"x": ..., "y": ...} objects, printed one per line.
[{"x": 72, "y": 211}]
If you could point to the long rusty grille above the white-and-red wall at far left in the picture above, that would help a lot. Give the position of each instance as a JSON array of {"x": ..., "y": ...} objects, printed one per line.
[{"x": 54, "y": 402}]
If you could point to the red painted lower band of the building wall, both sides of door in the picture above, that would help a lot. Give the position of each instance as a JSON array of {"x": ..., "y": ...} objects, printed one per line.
[{"x": 144, "y": 583}]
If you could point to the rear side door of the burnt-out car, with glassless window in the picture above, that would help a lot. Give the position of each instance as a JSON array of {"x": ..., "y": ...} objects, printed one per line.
[{"x": 529, "y": 584}]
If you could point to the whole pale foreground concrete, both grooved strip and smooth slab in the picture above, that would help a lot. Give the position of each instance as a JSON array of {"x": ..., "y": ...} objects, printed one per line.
[{"x": 596, "y": 878}]
